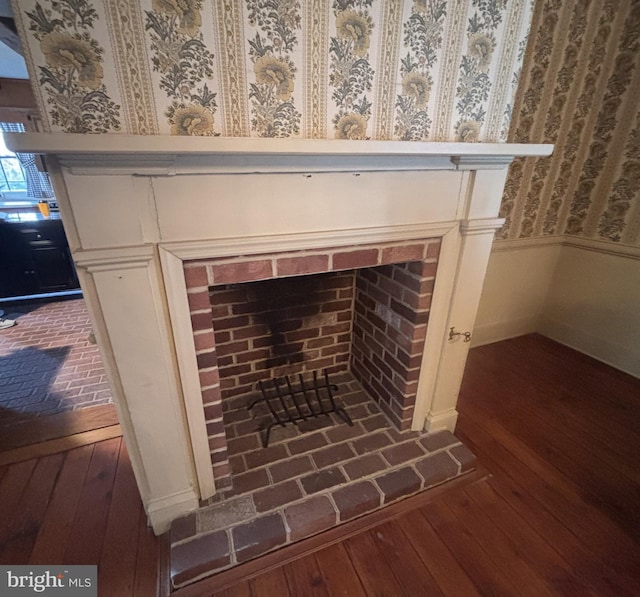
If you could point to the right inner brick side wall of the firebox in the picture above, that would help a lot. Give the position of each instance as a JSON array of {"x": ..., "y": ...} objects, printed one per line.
[{"x": 390, "y": 324}]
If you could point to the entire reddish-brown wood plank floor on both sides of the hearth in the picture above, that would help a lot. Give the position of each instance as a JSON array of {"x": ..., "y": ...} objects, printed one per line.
[{"x": 559, "y": 513}]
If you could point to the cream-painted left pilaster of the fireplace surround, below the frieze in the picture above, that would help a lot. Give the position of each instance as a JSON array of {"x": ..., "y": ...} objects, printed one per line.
[{"x": 132, "y": 328}]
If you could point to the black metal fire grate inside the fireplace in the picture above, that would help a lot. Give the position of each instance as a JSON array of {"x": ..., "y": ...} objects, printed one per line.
[{"x": 294, "y": 402}]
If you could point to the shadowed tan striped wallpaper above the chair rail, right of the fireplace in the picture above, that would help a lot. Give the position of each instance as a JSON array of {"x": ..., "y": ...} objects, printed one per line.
[{"x": 580, "y": 89}]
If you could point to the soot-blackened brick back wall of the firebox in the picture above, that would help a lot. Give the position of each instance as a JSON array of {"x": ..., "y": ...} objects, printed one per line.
[{"x": 281, "y": 326}]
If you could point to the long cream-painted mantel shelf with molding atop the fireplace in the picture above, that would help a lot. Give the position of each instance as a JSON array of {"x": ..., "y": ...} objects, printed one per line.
[{"x": 170, "y": 155}]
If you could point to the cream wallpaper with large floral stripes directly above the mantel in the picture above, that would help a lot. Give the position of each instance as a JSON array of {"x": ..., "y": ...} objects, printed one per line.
[{"x": 438, "y": 70}]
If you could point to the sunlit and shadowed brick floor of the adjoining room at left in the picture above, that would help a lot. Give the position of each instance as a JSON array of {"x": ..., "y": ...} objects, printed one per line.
[{"x": 47, "y": 364}]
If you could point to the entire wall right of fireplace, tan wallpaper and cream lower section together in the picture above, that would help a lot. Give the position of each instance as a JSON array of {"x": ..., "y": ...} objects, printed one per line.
[{"x": 564, "y": 263}]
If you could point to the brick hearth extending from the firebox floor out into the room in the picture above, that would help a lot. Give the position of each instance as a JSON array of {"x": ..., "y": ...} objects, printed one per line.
[{"x": 311, "y": 480}]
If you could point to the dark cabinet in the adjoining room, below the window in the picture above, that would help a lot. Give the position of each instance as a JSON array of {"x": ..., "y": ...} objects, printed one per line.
[{"x": 35, "y": 259}]
